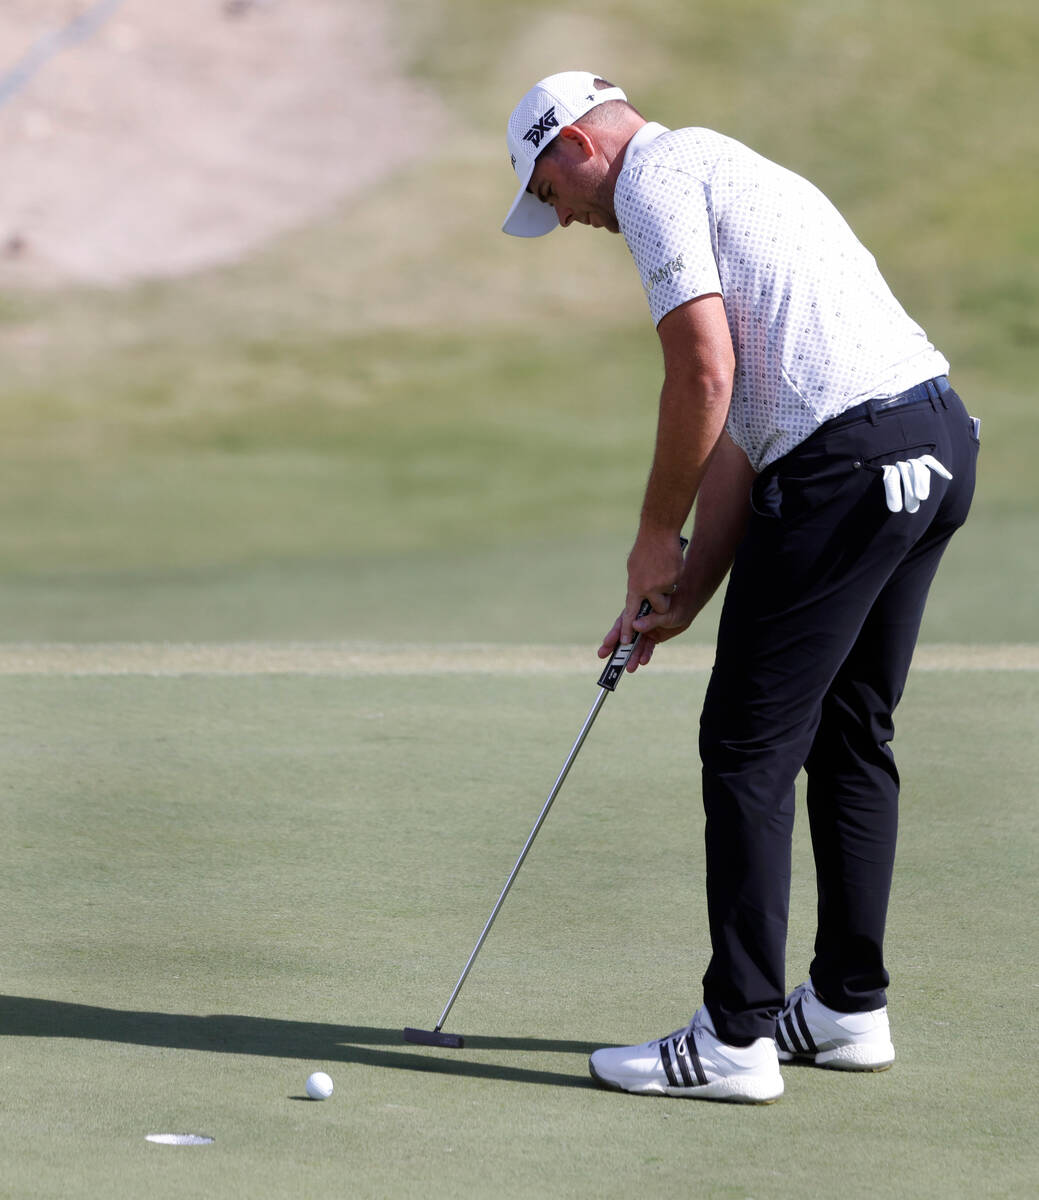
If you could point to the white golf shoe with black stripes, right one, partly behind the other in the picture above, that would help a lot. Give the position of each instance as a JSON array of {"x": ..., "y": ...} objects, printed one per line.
[{"x": 808, "y": 1030}]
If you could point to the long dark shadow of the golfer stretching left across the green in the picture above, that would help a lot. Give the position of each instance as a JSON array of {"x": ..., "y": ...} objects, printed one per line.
[{"x": 31, "y": 1018}]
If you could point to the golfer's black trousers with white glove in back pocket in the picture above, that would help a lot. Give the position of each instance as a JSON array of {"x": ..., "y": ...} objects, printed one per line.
[{"x": 820, "y": 621}]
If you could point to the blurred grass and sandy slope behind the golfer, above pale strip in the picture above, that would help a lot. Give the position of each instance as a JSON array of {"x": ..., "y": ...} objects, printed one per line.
[{"x": 271, "y": 371}]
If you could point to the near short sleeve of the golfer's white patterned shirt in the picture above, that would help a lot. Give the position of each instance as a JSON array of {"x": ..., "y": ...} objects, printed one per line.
[{"x": 665, "y": 218}]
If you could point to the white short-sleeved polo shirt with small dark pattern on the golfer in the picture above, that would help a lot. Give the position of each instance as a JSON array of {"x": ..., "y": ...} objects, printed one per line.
[{"x": 815, "y": 327}]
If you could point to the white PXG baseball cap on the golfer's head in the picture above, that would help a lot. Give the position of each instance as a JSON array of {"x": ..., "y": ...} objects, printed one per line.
[{"x": 552, "y": 104}]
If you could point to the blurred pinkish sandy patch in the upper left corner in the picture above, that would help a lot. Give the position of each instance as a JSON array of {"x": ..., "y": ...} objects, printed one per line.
[{"x": 143, "y": 140}]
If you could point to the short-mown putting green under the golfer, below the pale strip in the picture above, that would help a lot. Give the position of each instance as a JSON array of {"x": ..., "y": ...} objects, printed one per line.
[{"x": 214, "y": 886}]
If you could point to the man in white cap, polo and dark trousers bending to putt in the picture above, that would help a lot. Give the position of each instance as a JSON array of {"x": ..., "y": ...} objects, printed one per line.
[{"x": 813, "y": 424}]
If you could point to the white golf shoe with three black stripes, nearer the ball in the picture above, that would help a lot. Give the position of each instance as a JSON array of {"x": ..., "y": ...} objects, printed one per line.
[{"x": 693, "y": 1063}]
